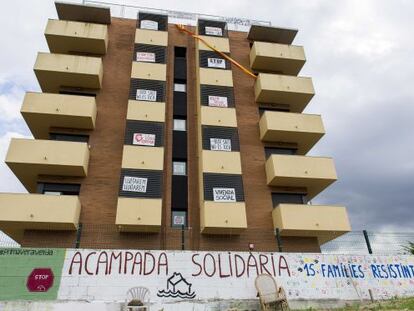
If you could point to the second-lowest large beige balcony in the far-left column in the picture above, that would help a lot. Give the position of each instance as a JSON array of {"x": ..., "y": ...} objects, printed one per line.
[{"x": 29, "y": 158}]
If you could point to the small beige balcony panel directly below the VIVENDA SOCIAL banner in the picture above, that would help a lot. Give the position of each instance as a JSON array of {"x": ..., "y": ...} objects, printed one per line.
[{"x": 223, "y": 218}]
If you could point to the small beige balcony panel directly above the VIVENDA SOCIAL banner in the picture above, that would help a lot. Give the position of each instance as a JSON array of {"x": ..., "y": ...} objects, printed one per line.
[{"x": 221, "y": 162}]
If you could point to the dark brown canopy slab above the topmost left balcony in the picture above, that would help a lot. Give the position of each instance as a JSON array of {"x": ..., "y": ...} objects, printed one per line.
[{"x": 83, "y": 13}]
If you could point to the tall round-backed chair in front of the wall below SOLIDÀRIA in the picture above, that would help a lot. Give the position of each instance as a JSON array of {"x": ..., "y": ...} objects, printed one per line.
[{"x": 271, "y": 297}]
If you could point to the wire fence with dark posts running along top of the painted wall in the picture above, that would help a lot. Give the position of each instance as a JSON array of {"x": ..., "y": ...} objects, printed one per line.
[{"x": 181, "y": 238}]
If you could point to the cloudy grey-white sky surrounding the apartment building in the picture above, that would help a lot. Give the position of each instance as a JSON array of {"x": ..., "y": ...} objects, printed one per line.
[{"x": 360, "y": 56}]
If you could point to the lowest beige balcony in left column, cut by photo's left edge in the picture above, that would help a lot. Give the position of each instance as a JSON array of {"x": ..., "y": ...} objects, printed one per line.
[{"x": 21, "y": 211}]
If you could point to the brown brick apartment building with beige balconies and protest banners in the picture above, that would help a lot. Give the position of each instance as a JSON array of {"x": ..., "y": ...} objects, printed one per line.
[{"x": 146, "y": 134}]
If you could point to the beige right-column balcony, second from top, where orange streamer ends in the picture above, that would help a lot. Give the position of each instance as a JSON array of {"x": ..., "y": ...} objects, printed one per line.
[{"x": 280, "y": 89}]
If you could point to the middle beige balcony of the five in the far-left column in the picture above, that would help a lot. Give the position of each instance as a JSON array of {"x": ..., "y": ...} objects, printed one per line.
[{"x": 41, "y": 111}]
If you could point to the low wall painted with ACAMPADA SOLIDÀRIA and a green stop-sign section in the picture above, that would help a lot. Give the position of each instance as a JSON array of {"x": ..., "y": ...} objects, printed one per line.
[{"x": 107, "y": 275}]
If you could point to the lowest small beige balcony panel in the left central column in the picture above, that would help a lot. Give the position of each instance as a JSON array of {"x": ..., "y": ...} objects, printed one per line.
[{"x": 138, "y": 215}]
